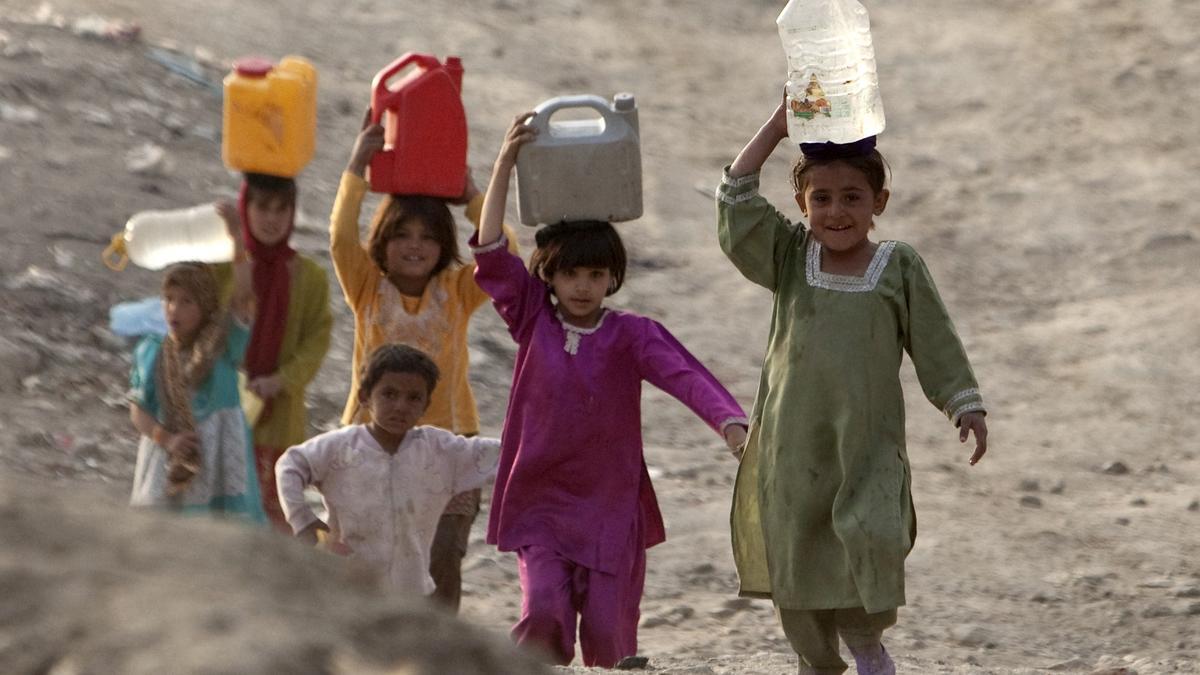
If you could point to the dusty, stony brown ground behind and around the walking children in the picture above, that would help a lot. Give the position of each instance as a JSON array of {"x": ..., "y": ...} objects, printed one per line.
[{"x": 1045, "y": 165}]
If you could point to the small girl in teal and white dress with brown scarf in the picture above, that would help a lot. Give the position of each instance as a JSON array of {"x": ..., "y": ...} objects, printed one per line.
[{"x": 195, "y": 453}]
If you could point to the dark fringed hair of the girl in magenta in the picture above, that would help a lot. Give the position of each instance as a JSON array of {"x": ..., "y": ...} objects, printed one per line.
[{"x": 583, "y": 243}]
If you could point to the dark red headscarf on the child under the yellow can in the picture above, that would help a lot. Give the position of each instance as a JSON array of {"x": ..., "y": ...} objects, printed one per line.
[{"x": 273, "y": 291}]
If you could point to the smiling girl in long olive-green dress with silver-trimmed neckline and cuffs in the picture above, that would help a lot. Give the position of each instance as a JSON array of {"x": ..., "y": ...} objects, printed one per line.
[{"x": 823, "y": 516}]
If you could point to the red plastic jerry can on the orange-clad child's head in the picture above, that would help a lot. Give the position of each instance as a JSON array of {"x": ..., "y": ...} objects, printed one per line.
[{"x": 425, "y": 128}]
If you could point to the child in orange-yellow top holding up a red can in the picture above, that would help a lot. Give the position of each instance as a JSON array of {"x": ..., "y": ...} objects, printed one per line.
[{"x": 409, "y": 285}]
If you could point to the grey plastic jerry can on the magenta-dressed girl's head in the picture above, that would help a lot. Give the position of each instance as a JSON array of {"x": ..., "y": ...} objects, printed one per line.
[{"x": 581, "y": 170}]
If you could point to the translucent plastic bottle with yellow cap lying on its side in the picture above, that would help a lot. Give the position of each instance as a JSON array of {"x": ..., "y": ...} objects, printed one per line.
[{"x": 157, "y": 240}]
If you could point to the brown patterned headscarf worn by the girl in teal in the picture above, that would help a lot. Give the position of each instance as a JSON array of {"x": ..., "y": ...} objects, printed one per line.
[{"x": 181, "y": 368}]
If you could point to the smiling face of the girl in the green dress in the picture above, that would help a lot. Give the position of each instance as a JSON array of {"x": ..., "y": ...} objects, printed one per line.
[{"x": 841, "y": 206}]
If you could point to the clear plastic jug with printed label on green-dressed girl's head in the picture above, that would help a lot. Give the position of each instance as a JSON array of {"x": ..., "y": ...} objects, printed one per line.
[{"x": 833, "y": 92}]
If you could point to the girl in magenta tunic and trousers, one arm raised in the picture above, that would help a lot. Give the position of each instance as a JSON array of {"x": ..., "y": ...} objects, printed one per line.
[{"x": 573, "y": 497}]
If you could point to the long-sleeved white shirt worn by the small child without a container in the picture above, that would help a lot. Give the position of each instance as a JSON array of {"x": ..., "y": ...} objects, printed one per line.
[{"x": 385, "y": 507}]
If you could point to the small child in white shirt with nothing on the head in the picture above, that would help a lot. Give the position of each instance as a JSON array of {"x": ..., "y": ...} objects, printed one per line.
[{"x": 386, "y": 482}]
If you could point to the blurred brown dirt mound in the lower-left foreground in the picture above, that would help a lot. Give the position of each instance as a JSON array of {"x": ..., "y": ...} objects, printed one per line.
[{"x": 109, "y": 590}]
